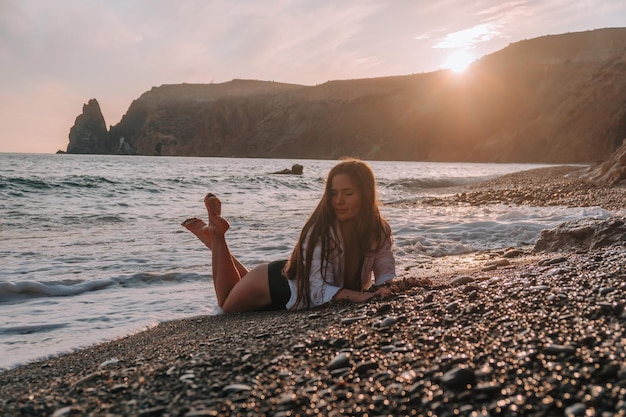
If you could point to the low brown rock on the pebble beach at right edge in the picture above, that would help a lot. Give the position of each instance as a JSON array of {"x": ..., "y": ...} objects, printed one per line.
[{"x": 584, "y": 234}]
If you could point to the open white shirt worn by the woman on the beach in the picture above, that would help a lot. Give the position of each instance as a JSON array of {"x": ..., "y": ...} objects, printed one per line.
[{"x": 381, "y": 262}]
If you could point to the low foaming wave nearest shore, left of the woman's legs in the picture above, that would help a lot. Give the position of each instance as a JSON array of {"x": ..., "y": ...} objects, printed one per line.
[{"x": 21, "y": 290}]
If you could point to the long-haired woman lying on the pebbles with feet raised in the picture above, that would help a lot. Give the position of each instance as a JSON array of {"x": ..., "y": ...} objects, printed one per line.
[{"x": 344, "y": 240}]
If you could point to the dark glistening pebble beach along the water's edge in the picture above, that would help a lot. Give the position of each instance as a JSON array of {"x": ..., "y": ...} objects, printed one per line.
[{"x": 497, "y": 334}]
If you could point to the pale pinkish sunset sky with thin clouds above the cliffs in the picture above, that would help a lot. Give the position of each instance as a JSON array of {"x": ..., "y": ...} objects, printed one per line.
[{"x": 56, "y": 55}]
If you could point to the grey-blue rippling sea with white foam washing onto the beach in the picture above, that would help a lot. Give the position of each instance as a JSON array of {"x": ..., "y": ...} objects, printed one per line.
[{"x": 91, "y": 246}]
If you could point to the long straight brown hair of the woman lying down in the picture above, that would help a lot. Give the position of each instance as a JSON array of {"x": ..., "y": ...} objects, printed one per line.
[{"x": 370, "y": 228}]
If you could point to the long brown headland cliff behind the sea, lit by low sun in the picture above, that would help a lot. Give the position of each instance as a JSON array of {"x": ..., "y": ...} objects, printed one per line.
[{"x": 559, "y": 98}]
